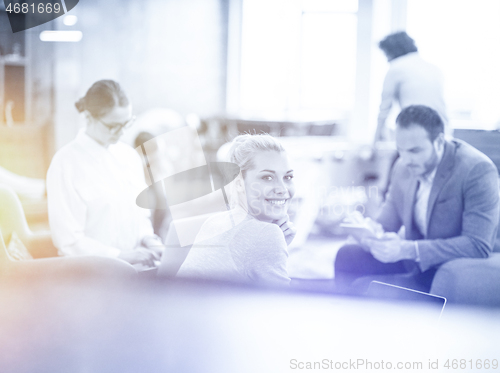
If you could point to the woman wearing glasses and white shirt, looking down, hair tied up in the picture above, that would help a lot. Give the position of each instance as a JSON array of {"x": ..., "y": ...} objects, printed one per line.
[{"x": 93, "y": 182}]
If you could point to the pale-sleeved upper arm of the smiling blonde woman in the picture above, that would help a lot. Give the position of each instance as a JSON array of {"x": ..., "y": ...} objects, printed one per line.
[{"x": 267, "y": 259}]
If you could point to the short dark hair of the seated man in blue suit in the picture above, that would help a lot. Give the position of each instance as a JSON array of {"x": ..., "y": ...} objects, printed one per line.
[{"x": 422, "y": 116}]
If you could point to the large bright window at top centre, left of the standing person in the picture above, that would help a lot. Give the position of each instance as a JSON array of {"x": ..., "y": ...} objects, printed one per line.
[{"x": 298, "y": 59}]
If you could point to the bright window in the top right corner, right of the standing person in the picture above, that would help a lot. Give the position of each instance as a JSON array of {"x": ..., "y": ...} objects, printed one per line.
[{"x": 462, "y": 37}]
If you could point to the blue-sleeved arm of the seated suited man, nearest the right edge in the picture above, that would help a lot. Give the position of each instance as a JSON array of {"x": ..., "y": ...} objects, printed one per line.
[{"x": 479, "y": 221}]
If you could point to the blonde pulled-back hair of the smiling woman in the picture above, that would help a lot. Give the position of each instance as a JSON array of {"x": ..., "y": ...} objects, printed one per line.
[{"x": 245, "y": 147}]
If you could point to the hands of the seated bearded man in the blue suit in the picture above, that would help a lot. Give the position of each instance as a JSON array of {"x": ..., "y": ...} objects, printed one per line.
[{"x": 391, "y": 248}]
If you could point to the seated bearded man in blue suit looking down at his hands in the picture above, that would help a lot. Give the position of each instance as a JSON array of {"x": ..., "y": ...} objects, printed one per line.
[{"x": 444, "y": 193}]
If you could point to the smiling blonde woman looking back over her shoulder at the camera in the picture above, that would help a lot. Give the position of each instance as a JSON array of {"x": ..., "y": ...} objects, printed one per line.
[{"x": 254, "y": 249}]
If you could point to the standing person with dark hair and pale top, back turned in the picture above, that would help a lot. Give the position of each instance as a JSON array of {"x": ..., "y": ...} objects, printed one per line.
[{"x": 410, "y": 81}]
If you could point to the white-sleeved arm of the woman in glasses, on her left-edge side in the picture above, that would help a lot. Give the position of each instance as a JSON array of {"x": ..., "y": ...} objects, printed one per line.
[{"x": 67, "y": 215}]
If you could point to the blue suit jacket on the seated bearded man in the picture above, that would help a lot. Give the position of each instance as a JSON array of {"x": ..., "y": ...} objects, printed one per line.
[{"x": 462, "y": 214}]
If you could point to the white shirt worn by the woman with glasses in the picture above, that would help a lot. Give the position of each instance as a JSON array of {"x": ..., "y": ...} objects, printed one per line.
[{"x": 92, "y": 193}]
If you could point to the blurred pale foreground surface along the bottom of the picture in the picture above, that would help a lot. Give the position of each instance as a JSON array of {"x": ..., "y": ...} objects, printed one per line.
[{"x": 157, "y": 326}]
